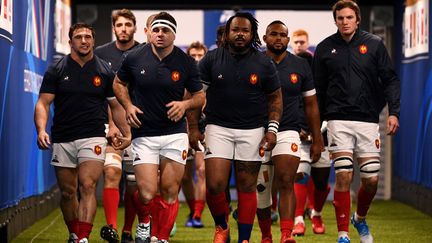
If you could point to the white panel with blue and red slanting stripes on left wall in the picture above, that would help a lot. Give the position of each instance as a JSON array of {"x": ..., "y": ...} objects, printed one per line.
[{"x": 37, "y": 28}]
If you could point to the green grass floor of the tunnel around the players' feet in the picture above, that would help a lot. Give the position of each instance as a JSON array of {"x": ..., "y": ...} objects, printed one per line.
[{"x": 389, "y": 221}]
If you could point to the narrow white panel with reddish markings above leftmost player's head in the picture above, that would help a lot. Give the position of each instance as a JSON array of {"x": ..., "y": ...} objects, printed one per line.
[{"x": 62, "y": 25}]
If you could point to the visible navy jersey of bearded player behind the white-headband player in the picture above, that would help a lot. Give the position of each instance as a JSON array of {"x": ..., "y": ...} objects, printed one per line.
[{"x": 111, "y": 54}]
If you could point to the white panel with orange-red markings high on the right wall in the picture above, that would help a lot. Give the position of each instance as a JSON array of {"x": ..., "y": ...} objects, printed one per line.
[{"x": 416, "y": 28}]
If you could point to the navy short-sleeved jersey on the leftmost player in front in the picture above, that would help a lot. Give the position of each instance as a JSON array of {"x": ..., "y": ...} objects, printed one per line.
[{"x": 80, "y": 109}]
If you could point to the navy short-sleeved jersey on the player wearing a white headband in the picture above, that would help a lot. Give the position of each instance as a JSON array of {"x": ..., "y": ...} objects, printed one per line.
[{"x": 153, "y": 83}]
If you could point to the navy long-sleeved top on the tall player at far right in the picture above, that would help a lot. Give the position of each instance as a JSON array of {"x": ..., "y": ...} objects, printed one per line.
[{"x": 355, "y": 80}]
